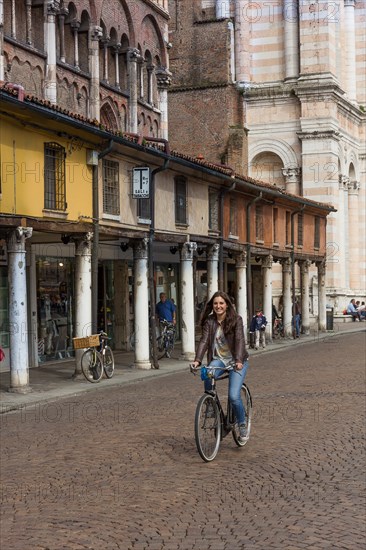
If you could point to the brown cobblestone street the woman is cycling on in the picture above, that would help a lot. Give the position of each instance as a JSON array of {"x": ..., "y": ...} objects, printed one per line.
[{"x": 118, "y": 468}]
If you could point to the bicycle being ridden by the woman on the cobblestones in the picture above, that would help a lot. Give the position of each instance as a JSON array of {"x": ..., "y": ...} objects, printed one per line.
[{"x": 212, "y": 423}]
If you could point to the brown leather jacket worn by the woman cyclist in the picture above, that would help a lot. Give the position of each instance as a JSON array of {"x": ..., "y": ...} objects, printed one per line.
[{"x": 235, "y": 339}]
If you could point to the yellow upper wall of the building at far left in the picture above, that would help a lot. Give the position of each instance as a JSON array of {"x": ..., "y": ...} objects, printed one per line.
[{"x": 22, "y": 173}]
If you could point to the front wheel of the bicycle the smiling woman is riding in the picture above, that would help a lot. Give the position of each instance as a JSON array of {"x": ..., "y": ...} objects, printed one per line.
[{"x": 207, "y": 427}]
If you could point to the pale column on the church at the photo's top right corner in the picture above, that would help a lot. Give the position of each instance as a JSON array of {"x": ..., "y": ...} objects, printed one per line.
[{"x": 350, "y": 50}]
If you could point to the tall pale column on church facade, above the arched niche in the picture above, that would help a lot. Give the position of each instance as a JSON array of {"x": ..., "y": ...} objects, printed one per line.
[{"x": 291, "y": 37}]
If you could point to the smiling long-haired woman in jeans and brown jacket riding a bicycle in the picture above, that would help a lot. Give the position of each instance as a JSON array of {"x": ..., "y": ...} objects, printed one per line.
[{"x": 223, "y": 340}]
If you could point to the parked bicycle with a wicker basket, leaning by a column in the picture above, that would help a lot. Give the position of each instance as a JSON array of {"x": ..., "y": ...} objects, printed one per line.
[{"x": 98, "y": 358}]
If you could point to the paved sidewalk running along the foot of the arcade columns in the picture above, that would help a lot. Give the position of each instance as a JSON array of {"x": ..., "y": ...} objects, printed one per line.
[{"x": 52, "y": 381}]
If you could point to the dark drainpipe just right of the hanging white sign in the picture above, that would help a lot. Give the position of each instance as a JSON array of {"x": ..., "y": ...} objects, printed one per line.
[{"x": 155, "y": 363}]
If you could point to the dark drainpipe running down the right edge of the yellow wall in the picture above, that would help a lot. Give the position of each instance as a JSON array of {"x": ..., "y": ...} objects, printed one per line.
[{"x": 95, "y": 247}]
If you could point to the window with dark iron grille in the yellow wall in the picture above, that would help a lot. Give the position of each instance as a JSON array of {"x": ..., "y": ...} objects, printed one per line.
[{"x": 54, "y": 177}]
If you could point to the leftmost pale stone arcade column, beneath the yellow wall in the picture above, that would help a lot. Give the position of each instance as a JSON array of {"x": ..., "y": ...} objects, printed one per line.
[{"x": 18, "y": 315}]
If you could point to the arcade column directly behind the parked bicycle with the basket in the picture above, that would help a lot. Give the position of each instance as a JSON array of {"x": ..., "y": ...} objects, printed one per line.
[{"x": 83, "y": 294}]
